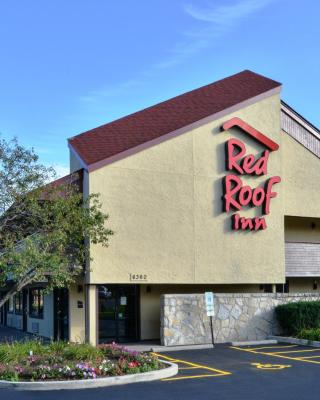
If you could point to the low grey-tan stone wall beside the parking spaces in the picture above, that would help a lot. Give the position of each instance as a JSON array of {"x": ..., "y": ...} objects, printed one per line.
[{"x": 238, "y": 317}]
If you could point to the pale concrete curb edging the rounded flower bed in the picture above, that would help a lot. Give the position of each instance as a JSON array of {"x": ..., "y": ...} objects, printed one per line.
[{"x": 171, "y": 370}]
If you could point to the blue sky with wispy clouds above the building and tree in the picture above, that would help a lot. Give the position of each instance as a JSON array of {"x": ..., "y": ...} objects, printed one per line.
[{"x": 68, "y": 66}]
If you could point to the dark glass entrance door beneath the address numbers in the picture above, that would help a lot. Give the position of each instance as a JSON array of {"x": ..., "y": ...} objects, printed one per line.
[{"x": 118, "y": 313}]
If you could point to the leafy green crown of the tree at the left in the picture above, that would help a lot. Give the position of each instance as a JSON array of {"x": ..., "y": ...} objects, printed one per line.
[{"x": 45, "y": 228}]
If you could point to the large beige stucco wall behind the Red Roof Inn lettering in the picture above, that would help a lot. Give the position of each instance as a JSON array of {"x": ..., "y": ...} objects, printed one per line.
[{"x": 166, "y": 210}]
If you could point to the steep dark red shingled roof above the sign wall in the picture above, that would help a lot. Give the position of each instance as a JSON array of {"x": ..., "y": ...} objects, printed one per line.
[{"x": 153, "y": 122}]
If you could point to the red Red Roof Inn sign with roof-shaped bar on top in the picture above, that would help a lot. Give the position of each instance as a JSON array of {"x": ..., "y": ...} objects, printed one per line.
[{"x": 237, "y": 195}]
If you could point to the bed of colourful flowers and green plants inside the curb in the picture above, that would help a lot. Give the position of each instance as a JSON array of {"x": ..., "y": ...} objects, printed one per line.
[{"x": 34, "y": 361}]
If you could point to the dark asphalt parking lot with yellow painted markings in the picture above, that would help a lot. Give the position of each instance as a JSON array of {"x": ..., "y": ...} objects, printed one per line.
[{"x": 280, "y": 371}]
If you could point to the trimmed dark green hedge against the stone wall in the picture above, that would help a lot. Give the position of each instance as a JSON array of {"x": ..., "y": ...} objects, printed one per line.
[{"x": 294, "y": 317}]
